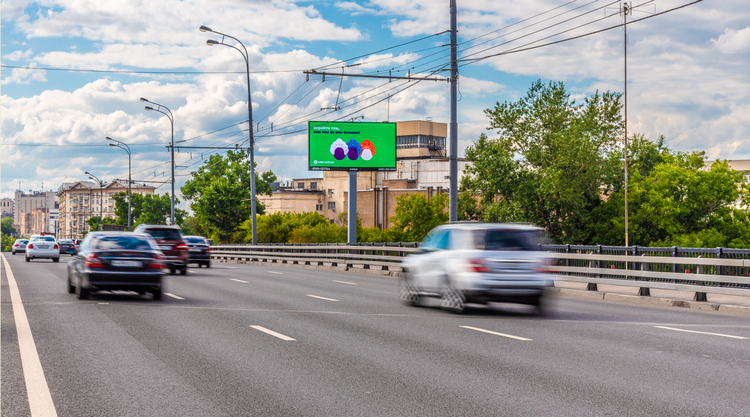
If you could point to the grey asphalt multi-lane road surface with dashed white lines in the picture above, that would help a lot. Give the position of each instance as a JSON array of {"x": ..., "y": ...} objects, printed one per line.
[{"x": 209, "y": 349}]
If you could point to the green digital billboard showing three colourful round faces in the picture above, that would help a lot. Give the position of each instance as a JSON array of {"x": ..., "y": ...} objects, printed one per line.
[{"x": 349, "y": 146}]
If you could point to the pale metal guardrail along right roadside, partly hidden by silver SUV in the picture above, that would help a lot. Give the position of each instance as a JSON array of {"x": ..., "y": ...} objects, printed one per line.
[{"x": 717, "y": 271}]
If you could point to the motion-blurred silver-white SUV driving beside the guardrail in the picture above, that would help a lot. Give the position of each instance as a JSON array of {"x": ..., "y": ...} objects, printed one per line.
[{"x": 478, "y": 263}]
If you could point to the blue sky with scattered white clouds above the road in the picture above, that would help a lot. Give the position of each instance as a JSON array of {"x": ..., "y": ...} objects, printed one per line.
[{"x": 688, "y": 75}]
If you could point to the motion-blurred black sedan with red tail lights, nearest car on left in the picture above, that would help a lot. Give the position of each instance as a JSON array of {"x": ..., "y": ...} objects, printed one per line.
[{"x": 117, "y": 261}]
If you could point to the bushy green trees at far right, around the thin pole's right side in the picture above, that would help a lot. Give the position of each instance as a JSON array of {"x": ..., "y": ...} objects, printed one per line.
[{"x": 679, "y": 203}]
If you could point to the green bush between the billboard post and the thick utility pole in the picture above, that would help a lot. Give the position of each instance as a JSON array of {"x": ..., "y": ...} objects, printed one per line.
[{"x": 415, "y": 216}]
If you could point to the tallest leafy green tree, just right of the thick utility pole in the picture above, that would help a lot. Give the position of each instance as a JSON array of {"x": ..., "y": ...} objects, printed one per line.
[{"x": 551, "y": 161}]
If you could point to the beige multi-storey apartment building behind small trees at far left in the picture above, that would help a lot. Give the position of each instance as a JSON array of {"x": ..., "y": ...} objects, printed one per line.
[{"x": 79, "y": 201}]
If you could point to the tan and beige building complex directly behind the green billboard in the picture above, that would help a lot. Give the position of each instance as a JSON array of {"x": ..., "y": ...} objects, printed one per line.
[{"x": 421, "y": 168}]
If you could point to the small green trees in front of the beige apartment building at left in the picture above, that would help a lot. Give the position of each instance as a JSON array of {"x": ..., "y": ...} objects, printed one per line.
[{"x": 147, "y": 209}]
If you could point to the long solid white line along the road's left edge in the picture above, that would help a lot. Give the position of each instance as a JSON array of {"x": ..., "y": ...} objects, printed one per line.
[{"x": 40, "y": 399}]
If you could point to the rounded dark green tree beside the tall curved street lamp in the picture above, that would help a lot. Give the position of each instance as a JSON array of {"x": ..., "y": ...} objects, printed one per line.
[{"x": 219, "y": 191}]
